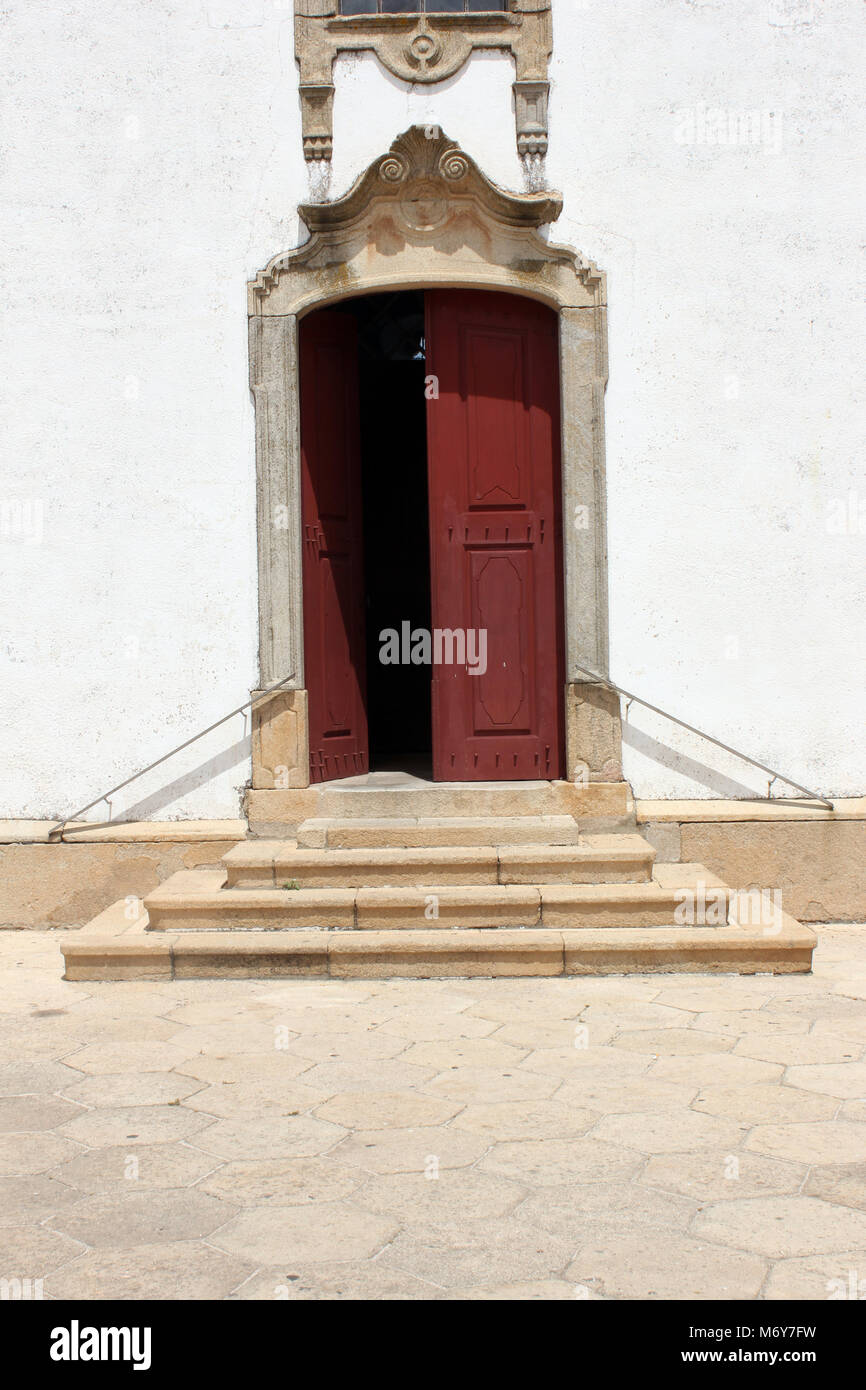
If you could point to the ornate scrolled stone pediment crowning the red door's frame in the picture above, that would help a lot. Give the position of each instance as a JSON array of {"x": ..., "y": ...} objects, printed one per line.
[{"x": 425, "y": 215}]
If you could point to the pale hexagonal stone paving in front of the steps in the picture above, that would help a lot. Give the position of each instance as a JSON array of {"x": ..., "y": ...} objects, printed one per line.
[{"x": 632, "y": 1138}]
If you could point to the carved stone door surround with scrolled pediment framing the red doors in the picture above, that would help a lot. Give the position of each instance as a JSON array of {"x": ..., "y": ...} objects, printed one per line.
[{"x": 423, "y": 216}]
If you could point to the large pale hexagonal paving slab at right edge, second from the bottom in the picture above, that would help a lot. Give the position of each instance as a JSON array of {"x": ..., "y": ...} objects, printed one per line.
[{"x": 782, "y": 1227}]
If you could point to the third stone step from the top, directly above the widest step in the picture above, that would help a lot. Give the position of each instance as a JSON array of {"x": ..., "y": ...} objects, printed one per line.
[{"x": 198, "y": 901}]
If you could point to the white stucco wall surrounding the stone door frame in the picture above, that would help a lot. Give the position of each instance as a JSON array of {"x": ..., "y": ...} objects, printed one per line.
[{"x": 154, "y": 165}]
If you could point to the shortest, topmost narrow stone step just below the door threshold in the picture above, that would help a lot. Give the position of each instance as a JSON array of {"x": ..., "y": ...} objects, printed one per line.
[{"x": 434, "y": 832}]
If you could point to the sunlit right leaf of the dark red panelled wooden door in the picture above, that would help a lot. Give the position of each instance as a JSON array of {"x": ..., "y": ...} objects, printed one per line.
[{"x": 496, "y": 519}]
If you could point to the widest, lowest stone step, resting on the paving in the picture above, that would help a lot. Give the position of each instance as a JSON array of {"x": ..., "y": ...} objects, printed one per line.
[{"x": 120, "y": 951}]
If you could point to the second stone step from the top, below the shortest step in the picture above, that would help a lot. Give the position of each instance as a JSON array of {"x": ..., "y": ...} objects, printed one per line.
[{"x": 261, "y": 864}]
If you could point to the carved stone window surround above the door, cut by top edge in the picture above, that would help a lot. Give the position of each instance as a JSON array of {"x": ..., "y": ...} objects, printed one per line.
[{"x": 423, "y": 48}]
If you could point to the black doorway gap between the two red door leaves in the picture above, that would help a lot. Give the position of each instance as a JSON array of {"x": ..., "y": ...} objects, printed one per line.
[{"x": 397, "y": 525}]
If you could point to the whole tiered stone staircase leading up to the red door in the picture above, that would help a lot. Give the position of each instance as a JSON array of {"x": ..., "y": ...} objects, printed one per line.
[{"x": 366, "y": 894}]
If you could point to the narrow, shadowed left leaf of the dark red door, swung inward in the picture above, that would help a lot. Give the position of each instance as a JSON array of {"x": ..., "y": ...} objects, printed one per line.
[{"x": 333, "y": 546}]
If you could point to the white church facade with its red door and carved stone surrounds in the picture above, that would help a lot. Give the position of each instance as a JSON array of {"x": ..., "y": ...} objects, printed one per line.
[{"x": 465, "y": 387}]
